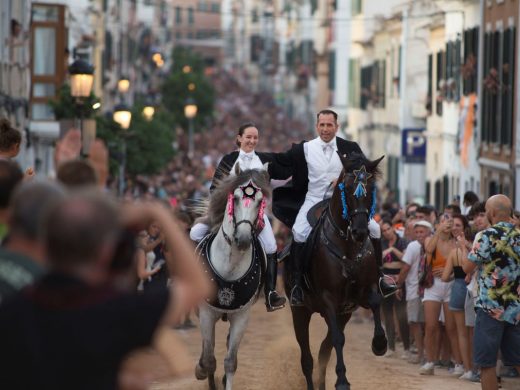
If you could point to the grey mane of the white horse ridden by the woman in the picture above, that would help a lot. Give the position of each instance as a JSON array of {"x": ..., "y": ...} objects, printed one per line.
[{"x": 219, "y": 196}]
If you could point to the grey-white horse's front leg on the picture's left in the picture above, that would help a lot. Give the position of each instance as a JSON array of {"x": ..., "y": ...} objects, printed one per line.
[{"x": 207, "y": 364}]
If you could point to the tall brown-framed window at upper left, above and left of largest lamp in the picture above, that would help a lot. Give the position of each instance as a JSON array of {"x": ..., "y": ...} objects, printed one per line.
[{"x": 48, "y": 69}]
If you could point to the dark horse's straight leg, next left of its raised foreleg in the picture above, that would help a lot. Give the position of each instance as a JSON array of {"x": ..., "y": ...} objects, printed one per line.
[{"x": 338, "y": 341}]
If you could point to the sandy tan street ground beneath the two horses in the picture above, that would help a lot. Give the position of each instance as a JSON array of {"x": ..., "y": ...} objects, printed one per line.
[{"x": 269, "y": 359}]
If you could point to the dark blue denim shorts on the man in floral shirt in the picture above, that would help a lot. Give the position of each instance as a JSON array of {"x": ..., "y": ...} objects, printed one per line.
[{"x": 491, "y": 336}]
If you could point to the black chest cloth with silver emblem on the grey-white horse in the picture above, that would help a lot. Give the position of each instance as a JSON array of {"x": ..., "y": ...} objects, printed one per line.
[{"x": 233, "y": 295}]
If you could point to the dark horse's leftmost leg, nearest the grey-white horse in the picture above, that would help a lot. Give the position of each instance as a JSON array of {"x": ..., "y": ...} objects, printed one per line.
[{"x": 301, "y": 319}]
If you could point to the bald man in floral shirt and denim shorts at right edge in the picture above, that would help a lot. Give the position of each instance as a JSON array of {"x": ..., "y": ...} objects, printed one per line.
[{"x": 496, "y": 256}]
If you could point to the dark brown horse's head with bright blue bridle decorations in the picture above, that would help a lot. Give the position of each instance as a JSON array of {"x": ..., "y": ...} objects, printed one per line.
[{"x": 357, "y": 188}]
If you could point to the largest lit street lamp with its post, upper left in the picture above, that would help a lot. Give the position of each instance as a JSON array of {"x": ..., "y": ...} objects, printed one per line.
[{"x": 81, "y": 81}]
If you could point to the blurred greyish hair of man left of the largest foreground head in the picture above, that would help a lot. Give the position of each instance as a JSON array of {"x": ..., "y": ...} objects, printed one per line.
[{"x": 29, "y": 203}]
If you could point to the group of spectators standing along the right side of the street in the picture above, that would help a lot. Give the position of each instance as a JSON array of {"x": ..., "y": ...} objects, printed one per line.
[{"x": 456, "y": 271}]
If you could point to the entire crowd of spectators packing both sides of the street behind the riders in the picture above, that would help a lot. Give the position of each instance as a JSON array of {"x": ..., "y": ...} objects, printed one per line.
[{"x": 69, "y": 266}]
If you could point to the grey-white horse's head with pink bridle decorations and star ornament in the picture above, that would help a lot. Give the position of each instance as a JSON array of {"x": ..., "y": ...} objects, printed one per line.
[{"x": 246, "y": 195}]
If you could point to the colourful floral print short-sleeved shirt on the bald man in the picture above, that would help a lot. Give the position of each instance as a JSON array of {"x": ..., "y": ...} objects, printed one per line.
[{"x": 496, "y": 252}]
